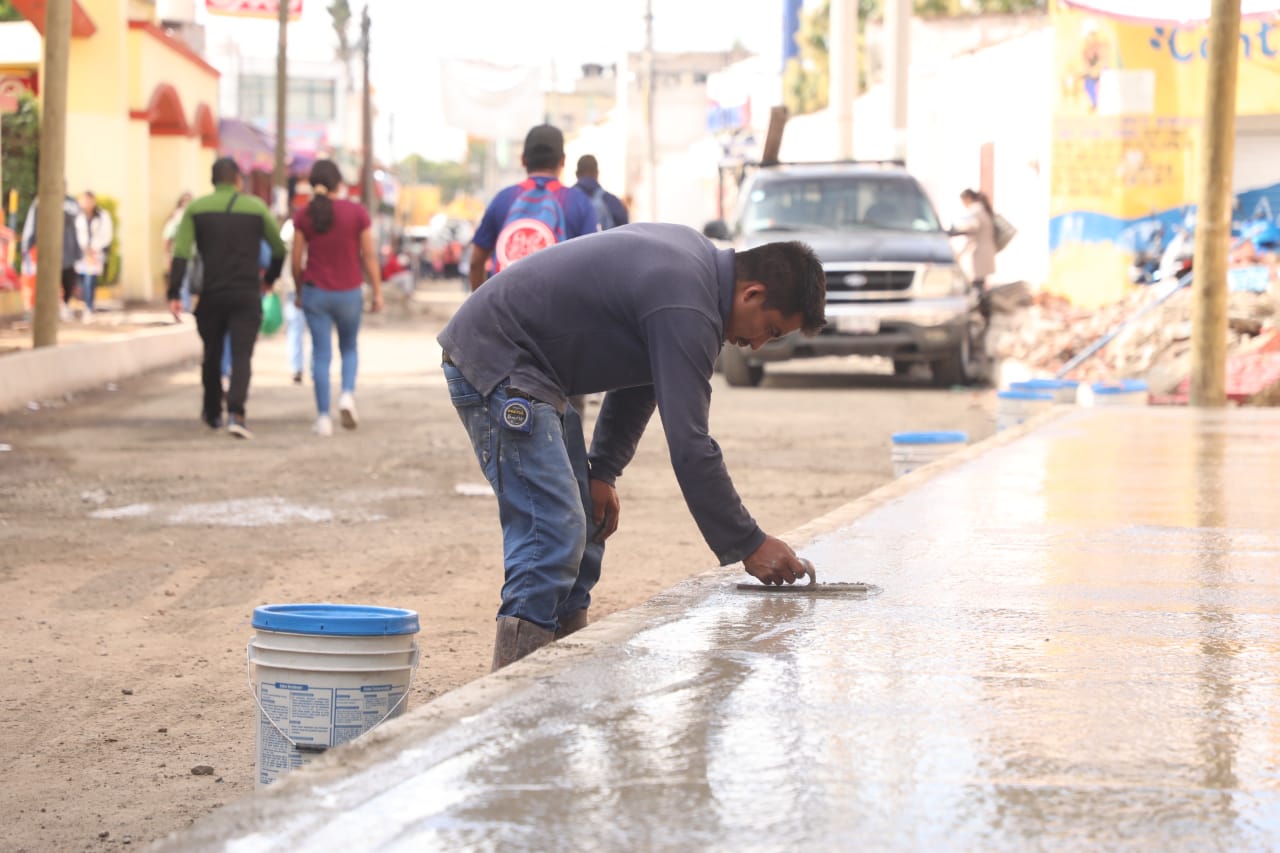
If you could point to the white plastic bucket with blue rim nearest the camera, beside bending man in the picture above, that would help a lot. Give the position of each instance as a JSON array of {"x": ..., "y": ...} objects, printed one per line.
[{"x": 323, "y": 676}]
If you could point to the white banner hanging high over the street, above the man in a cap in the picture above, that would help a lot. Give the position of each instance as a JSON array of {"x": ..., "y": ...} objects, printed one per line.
[{"x": 492, "y": 102}]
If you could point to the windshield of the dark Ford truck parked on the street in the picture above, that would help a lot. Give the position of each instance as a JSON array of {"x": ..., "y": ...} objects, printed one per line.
[{"x": 838, "y": 204}]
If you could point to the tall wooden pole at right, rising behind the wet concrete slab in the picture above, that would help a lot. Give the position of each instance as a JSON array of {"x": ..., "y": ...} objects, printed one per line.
[{"x": 1214, "y": 215}]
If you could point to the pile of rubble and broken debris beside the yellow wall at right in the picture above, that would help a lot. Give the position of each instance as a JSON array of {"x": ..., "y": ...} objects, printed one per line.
[{"x": 1044, "y": 332}]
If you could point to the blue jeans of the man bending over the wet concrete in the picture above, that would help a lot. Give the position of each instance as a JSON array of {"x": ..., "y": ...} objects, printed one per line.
[{"x": 545, "y": 503}]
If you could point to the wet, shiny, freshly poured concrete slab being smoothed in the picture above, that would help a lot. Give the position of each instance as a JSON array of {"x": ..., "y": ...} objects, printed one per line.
[{"x": 1077, "y": 646}]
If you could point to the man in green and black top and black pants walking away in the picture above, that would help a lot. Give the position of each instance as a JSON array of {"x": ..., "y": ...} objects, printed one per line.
[{"x": 227, "y": 229}]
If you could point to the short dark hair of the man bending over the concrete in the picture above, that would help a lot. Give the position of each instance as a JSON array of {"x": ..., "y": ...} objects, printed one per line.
[{"x": 793, "y": 280}]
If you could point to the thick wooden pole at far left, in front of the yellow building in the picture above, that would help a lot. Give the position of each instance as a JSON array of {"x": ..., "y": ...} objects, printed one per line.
[{"x": 52, "y": 188}]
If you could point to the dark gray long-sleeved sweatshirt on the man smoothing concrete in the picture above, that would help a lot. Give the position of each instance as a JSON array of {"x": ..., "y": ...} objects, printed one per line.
[{"x": 638, "y": 312}]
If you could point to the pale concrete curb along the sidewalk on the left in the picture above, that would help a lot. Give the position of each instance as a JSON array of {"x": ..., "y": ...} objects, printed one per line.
[{"x": 53, "y": 372}]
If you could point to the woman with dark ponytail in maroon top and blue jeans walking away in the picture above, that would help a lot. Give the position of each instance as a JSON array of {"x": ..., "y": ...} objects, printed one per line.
[{"x": 333, "y": 240}]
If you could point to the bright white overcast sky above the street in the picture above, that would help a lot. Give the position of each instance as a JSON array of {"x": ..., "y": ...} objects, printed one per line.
[{"x": 412, "y": 37}]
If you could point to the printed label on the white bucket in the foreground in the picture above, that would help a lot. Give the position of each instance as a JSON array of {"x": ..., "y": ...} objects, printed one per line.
[{"x": 323, "y": 717}]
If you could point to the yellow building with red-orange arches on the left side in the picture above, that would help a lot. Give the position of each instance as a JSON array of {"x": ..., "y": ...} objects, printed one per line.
[{"x": 141, "y": 125}]
